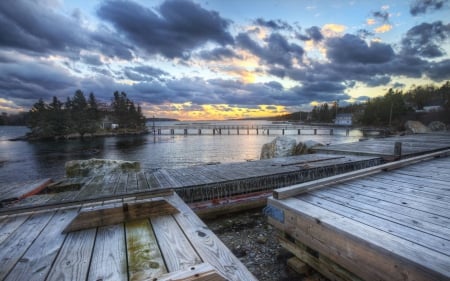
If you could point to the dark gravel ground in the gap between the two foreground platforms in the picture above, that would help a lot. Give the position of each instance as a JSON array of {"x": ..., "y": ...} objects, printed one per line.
[{"x": 254, "y": 242}]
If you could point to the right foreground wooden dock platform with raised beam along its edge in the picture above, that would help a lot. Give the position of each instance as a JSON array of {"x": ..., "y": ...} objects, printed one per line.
[{"x": 387, "y": 225}]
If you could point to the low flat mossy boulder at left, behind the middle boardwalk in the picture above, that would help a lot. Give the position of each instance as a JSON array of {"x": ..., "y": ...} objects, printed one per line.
[{"x": 91, "y": 167}]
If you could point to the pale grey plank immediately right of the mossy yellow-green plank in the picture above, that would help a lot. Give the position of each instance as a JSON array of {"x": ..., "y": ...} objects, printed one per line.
[{"x": 175, "y": 247}]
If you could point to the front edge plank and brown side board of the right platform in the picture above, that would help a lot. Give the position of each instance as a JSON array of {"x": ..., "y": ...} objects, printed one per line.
[{"x": 369, "y": 253}]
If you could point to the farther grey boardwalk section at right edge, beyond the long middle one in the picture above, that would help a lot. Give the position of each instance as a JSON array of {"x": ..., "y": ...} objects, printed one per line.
[{"x": 412, "y": 145}]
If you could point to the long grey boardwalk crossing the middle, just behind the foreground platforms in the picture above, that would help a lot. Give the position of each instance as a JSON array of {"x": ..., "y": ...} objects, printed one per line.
[{"x": 197, "y": 183}]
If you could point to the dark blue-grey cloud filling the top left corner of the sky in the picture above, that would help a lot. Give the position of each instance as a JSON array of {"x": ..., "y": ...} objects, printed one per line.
[{"x": 29, "y": 26}]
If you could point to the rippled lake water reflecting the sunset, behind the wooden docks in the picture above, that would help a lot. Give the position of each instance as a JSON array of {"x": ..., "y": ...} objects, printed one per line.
[{"x": 22, "y": 160}]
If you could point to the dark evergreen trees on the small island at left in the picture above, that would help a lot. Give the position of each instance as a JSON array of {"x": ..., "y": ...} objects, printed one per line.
[{"x": 82, "y": 115}]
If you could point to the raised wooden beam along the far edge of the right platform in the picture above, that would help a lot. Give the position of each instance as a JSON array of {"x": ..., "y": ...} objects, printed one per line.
[{"x": 297, "y": 189}]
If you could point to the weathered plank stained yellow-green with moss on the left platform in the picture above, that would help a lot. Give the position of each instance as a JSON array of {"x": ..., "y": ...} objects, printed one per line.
[{"x": 144, "y": 257}]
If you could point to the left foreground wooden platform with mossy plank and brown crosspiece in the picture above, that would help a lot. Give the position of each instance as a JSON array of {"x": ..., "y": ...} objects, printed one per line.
[{"x": 158, "y": 238}]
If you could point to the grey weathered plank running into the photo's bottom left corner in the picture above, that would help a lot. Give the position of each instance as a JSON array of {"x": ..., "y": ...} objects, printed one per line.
[{"x": 12, "y": 248}]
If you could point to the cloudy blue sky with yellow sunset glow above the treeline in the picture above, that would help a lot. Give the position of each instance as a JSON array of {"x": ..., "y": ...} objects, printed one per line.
[{"x": 215, "y": 59}]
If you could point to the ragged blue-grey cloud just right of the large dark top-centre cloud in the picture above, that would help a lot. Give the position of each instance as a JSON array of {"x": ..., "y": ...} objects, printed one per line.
[{"x": 278, "y": 51}]
